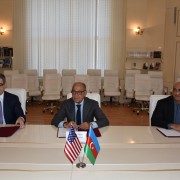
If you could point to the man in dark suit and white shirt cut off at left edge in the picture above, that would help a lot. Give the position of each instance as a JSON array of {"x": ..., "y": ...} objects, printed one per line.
[{"x": 10, "y": 106}]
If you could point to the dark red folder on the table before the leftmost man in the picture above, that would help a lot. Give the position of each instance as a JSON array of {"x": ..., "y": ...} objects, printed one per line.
[{"x": 8, "y": 130}]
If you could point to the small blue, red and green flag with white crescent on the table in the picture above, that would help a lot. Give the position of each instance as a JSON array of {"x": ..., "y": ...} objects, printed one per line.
[{"x": 92, "y": 147}]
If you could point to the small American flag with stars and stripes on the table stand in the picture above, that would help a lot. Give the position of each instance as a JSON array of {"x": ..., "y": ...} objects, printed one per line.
[{"x": 73, "y": 146}]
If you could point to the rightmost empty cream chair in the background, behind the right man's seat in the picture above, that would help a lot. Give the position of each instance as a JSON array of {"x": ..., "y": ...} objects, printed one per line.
[{"x": 156, "y": 78}]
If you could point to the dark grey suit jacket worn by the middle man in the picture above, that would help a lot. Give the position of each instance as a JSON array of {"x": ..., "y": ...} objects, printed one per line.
[{"x": 91, "y": 109}]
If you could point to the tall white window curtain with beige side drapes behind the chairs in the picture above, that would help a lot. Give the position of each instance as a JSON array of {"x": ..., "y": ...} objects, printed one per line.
[{"x": 63, "y": 34}]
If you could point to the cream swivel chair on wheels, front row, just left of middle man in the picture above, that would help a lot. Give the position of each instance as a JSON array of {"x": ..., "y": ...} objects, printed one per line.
[{"x": 51, "y": 92}]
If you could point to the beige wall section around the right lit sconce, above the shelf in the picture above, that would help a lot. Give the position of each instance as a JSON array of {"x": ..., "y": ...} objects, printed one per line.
[{"x": 150, "y": 16}]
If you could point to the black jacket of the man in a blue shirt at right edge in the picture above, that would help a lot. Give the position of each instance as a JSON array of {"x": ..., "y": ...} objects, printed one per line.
[{"x": 163, "y": 113}]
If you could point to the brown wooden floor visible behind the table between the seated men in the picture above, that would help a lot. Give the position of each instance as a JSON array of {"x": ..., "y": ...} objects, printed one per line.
[{"x": 118, "y": 115}]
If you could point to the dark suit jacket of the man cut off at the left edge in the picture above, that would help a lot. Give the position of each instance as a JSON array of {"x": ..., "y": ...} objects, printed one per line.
[{"x": 12, "y": 108}]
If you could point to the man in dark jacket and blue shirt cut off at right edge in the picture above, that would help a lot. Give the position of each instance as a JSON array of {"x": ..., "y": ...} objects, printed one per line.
[{"x": 167, "y": 111}]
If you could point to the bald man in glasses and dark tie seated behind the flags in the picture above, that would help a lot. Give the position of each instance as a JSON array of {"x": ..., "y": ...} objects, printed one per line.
[{"x": 89, "y": 109}]
